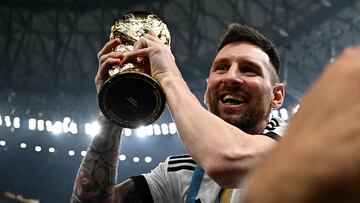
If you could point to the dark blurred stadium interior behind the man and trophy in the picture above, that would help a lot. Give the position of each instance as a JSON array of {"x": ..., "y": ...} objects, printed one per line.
[{"x": 48, "y": 62}]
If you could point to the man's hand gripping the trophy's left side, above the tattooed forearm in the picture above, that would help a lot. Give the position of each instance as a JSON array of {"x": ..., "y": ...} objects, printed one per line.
[{"x": 107, "y": 59}]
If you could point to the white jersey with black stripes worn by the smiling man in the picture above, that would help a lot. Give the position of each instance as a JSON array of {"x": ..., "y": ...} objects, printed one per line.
[{"x": 169, "y": 182}]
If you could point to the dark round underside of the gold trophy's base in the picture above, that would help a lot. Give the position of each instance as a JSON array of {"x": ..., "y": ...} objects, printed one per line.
[{"x": 131, "y": 99}]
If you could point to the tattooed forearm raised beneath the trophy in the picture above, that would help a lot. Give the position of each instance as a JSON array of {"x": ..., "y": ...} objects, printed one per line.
[{"x": 96, "y": 178}]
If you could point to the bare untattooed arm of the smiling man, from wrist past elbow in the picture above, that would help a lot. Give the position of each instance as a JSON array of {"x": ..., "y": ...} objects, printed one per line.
[{"x": 218, "y": 146}]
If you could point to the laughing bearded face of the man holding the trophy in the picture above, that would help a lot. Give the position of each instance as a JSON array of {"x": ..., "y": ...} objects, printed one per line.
[{"x": 238, "y": 88}]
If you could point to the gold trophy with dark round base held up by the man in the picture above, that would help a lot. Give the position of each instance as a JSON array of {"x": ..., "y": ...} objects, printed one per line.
[{"x": 131, "y": 97}]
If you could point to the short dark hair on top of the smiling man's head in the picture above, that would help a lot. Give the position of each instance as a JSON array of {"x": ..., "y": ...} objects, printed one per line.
[{"x": 243, "y": 33}]
